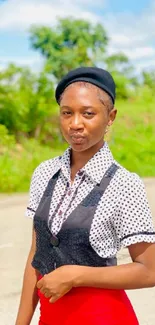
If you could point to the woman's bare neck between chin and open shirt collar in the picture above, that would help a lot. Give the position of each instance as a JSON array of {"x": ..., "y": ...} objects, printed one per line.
[{"x": 79, "y": 159}]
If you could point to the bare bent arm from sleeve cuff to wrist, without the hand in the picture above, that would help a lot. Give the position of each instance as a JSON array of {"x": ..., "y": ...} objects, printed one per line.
[{"x": 139, "y": 274}]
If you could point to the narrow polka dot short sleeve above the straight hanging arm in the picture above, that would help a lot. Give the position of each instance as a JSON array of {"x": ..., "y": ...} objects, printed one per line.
[{"x": 33, "y": 195}]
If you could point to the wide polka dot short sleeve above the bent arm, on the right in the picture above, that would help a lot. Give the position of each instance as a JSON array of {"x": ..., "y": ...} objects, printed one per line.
[{"x": 134, "y": 223}]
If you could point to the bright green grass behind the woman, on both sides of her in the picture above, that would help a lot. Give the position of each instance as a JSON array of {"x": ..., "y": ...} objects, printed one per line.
[{"x": 132, "y": 141}]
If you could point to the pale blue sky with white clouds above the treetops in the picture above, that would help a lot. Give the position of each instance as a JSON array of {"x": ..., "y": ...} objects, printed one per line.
[{"x": 130, "y": 26}]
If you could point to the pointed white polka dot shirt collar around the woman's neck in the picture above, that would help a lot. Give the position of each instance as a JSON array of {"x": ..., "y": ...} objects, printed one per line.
[{"x": 95, "y": 167}]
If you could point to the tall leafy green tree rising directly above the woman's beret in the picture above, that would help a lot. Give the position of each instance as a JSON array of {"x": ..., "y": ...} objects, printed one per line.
[{"x": 73, "y": 43}]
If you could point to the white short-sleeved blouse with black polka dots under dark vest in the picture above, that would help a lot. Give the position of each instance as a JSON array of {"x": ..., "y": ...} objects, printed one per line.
[{"x": 122, "y": 216}]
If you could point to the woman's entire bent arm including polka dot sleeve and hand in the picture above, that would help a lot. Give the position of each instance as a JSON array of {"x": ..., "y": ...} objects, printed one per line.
[{"x": 134, "y": 229}]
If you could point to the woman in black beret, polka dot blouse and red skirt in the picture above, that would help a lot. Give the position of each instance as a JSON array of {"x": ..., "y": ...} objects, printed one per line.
[{"x": 85, "y": 208}]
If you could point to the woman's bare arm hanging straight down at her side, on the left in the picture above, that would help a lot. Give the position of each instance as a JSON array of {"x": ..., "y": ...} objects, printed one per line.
[{"x": 29, "y": 298}]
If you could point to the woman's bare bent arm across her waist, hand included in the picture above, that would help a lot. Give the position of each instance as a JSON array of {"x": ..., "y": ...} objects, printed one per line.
[{"x": 138, "y": 274}]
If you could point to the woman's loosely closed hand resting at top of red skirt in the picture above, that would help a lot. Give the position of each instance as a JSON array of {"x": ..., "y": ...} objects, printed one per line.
[{"x": 57, "y": 283}]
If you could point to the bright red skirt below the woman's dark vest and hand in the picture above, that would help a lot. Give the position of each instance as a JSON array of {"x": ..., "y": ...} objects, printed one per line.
[{"x": 88, "y": 306}]
